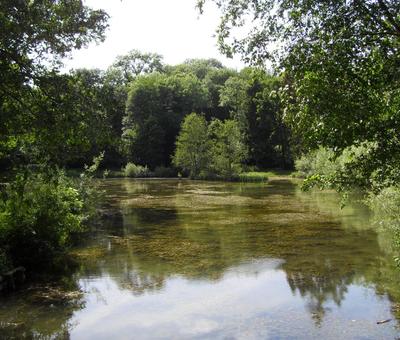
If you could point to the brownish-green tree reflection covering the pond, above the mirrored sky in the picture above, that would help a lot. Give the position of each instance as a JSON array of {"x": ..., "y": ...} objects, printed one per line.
[{"x": 155, "y": 231}]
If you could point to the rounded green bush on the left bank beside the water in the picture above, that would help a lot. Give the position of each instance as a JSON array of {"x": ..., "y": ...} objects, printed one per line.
[{"x": 39, "y": 214}]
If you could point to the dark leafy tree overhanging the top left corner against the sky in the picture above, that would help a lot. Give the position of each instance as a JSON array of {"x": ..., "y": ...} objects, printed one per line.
[{"x": 35, "y": 35}]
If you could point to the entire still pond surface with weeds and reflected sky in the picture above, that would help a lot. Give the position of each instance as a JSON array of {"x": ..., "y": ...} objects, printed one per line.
[{"x": 209, "y": 260}]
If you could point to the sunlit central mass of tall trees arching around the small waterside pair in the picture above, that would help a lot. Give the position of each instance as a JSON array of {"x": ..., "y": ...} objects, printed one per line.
[{"x": 157, "y": 104}]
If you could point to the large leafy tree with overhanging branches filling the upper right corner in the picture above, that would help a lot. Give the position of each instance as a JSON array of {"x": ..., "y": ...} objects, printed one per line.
[{"x": 339, "y": 62}]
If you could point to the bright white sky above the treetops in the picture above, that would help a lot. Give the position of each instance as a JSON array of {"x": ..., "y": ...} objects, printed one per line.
[{"x": 172, "y": 28}]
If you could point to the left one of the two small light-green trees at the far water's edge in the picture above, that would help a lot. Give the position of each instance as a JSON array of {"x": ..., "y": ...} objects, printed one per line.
[{"x": 192, "y": 145}]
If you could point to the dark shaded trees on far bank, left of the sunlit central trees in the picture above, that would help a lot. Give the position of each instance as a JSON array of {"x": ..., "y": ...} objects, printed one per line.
[{"x": 82, "y": 111}]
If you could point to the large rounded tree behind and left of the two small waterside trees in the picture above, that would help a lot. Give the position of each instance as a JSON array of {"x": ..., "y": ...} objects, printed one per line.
[{"x": 164, "y": 100}]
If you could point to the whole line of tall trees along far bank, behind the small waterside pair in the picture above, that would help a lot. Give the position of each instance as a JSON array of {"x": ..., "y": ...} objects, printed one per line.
[{"x": 133, "y": 112}]
